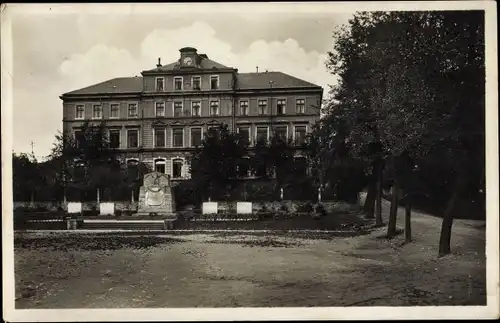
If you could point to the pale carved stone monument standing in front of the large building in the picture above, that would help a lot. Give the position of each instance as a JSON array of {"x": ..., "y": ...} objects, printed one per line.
[{"x": 156, "y": 197}]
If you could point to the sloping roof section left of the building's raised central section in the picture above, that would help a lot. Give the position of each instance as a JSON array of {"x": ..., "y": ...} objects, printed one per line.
[{"x": 116, "y": 85}]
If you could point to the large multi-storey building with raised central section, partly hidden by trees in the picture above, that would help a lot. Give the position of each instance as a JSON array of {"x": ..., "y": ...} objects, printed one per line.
[{"x": 160, "y": 117}]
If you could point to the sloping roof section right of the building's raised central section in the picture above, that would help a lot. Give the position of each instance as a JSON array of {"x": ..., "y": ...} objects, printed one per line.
[{"x": 247, "y": 81}]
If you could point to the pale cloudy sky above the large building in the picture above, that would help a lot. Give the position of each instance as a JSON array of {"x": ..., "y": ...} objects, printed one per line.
[{"x": 56, "y": 51}]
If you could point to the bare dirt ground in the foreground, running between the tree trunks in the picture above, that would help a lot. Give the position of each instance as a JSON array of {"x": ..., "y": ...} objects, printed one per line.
[{"x": 249, "y": 270}]
